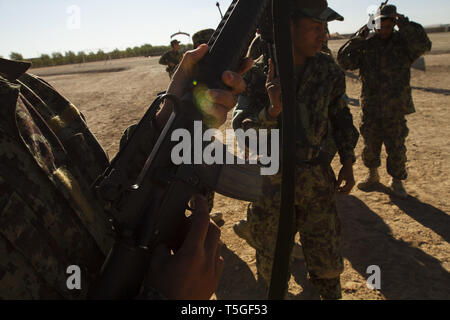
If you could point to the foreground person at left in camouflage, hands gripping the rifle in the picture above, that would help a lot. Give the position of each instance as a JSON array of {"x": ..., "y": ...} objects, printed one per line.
[{"x": 49, "y": 217}]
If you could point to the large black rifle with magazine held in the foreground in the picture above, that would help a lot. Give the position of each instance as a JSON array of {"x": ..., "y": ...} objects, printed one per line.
[{"x": 151, "y": 210}]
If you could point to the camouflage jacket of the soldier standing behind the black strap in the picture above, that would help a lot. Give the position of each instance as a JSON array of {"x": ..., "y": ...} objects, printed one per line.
[{"x": 320, "y": 100}]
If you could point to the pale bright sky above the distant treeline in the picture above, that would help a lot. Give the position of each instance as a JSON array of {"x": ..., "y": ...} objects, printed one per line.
[{"x": 33, "y": 27}]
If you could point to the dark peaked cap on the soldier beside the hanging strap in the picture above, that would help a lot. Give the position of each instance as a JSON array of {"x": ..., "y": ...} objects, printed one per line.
[{"x": 315, "y": 9}]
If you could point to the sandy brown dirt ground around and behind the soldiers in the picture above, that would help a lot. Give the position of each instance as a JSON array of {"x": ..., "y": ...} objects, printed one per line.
[{"x": 408, "y": 239}]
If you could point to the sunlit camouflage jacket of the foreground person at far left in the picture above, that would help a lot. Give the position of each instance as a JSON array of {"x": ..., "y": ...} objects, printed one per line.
[{"x": 49, "y": 216}]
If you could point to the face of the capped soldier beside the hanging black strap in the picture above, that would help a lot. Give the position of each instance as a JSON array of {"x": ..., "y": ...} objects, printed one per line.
[{"x": 308, "y": 36}]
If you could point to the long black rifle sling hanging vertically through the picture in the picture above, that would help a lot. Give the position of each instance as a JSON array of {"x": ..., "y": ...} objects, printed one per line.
[{"x": 283, "y": 42}]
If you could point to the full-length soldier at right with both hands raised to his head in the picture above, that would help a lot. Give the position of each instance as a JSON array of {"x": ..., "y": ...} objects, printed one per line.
[{"x": 384, "y": 59}]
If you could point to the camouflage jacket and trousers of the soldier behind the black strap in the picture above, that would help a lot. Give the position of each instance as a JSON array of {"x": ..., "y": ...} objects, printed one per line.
[{"x": 320, "y": 104}]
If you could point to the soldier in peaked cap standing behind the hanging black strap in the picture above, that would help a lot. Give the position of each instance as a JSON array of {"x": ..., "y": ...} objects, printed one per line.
[{"x": 320, "y": 101}]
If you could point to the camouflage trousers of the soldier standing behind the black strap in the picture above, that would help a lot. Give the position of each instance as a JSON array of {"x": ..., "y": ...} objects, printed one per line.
[{"x": 316, "y": 220}]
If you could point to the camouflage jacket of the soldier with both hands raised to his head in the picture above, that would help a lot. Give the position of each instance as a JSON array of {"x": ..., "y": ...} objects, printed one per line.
[{"x": 385, "y": 69}]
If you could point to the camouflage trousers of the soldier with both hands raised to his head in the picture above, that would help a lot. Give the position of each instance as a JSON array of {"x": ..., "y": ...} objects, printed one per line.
[{"x": 391, "y": 132}]
